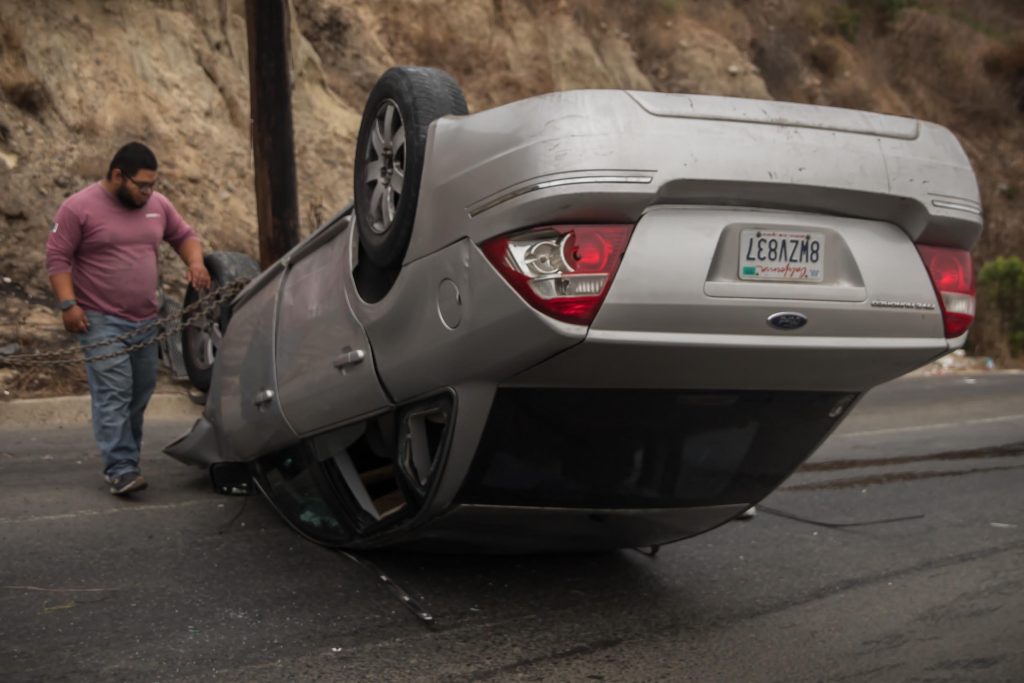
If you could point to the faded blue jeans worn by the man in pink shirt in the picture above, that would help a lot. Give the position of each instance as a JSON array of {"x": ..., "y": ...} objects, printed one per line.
[{"x": 120, "y": 389}]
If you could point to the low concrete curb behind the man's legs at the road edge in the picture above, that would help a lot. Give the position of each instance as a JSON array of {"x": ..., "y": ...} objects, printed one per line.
[{"x": 31, "y": 413}]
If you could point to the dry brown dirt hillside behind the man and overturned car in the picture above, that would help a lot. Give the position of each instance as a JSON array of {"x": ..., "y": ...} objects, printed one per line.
[{"x": 78, "y": 78}]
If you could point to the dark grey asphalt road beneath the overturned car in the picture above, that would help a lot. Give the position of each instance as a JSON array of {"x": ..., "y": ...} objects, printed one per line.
[{"x": 184, "y": 585}]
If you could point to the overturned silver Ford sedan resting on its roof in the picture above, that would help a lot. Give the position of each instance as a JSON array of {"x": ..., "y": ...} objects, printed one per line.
[{"x": 585, "y": 320}]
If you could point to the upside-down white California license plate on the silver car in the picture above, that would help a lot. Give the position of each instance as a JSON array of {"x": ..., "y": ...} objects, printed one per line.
[{"x": 774, "y": 254}]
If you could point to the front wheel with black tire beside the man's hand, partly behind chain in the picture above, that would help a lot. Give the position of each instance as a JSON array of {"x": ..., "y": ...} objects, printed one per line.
[{"x": 199, "y": 345}]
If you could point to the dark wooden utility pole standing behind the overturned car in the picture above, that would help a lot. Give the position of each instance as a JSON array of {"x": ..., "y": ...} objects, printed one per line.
[{"x": 271, "y": 113}]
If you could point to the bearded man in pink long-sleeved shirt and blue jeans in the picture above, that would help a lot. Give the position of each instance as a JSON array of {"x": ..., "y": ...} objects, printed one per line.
[{"x": 102, "y": 260}]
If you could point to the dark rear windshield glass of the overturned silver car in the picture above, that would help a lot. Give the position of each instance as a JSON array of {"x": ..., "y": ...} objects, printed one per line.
[{"x": 645, "y": 449}]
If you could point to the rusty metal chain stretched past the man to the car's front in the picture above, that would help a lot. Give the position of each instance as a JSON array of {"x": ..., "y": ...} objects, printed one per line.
[{"x": 206, "y": 308}]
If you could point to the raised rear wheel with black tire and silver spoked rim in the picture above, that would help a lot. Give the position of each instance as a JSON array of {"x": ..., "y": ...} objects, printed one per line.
[{"x": 386, "y": 208}]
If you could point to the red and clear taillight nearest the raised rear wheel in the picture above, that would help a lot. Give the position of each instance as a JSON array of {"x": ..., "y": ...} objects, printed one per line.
[{"x": 563, "y": 271}]
